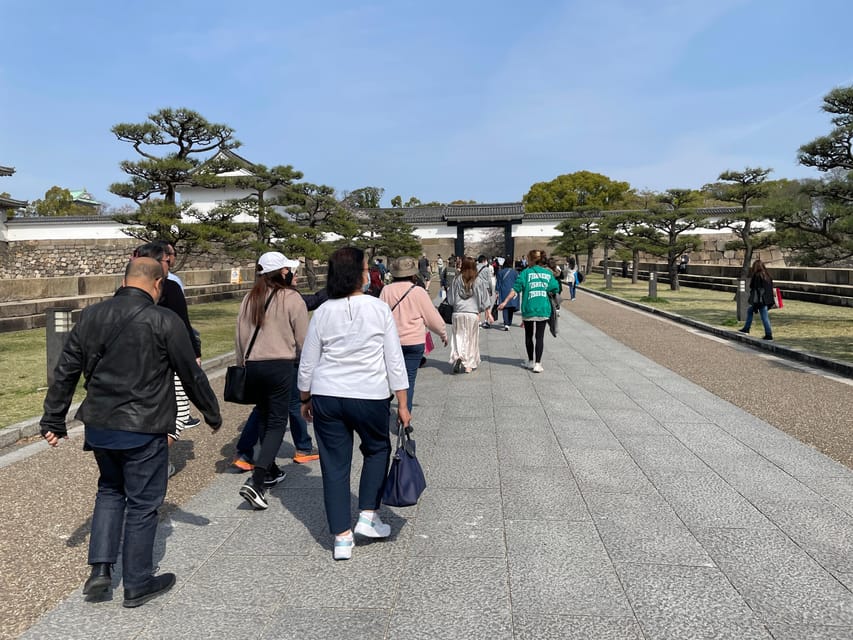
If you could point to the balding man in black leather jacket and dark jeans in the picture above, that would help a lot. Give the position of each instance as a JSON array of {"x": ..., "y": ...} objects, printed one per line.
[{"x": 127, "y": 349}]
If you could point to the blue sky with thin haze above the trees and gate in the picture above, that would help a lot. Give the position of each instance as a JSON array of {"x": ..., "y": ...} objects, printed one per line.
[{"x": 440, "y": 100}]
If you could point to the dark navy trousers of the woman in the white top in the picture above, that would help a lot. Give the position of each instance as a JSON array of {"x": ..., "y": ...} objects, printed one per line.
[{"x": 335, "y": 420}]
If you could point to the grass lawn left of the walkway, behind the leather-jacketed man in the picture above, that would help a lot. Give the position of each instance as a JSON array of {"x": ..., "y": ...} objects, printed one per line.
[{"x": 23, "y": 376}]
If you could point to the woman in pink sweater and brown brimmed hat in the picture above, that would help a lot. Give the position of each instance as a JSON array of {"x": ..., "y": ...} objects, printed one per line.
[{"x": 413, "y": 311}]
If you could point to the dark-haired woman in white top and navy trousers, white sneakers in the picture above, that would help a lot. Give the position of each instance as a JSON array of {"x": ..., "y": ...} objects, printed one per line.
[{"x": 351, "y": 364}]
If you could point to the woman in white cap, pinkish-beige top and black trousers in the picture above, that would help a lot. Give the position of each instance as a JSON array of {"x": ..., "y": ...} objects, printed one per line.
[{"x": 273, "y": 319}]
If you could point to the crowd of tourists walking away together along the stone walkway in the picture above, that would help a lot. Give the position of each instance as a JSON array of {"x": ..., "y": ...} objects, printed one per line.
[{"x": 339, "y": 368}]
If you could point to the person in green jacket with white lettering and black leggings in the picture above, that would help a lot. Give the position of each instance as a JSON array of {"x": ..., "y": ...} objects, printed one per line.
[{"x": 534, "y": 285}]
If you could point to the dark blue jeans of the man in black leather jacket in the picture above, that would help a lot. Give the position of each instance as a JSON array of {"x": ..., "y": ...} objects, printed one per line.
[{"x": 131, "y": 488}]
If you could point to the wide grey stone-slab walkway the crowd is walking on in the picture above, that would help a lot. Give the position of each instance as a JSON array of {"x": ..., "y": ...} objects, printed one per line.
[{"x": 606, "y": 498}]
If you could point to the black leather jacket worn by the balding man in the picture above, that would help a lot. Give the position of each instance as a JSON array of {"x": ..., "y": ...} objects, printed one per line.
[{"x": 132, "y": 387}]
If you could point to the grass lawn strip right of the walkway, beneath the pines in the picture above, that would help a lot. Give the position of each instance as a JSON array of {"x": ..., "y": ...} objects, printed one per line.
[{"x": 817, "y": 328}]
